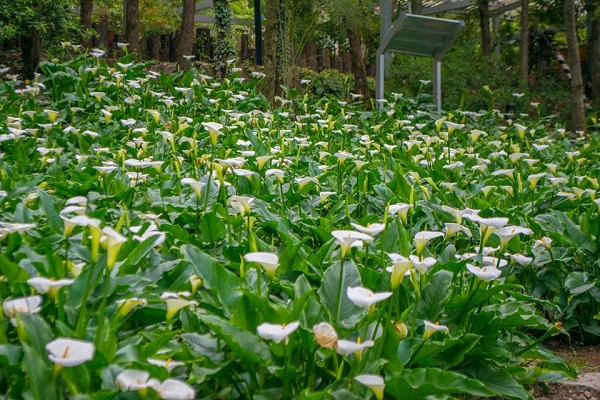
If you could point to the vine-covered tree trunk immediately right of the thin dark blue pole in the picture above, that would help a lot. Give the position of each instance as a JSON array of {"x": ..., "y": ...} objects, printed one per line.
[{"x": 270, "y": 57}]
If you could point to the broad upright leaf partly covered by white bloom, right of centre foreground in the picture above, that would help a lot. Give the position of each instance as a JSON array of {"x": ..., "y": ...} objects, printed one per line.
[{"x": 336, "y": 281}]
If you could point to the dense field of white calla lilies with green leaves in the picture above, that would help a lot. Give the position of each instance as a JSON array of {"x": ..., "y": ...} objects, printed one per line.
[{"x": 176, "y": 237}]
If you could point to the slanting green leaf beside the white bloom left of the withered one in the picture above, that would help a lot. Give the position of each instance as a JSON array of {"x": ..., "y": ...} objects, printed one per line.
[{"x": 244, "y": 344}]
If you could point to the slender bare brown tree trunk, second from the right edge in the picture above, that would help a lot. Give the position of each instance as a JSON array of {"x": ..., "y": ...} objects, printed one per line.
[{"x": 578, "y": 112}]
